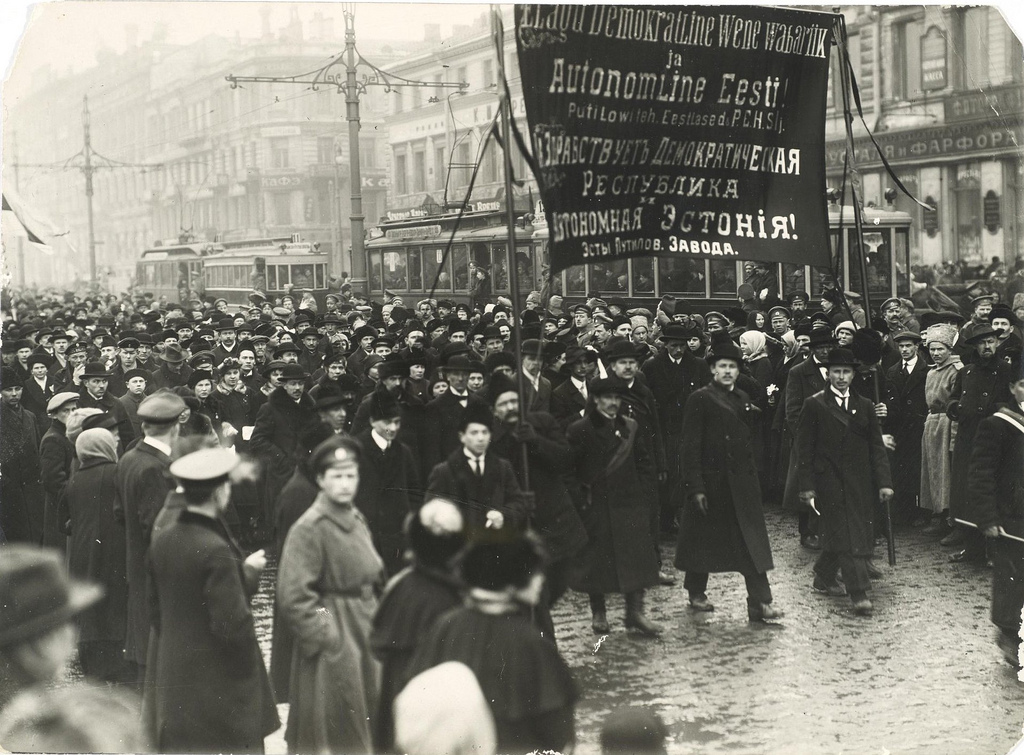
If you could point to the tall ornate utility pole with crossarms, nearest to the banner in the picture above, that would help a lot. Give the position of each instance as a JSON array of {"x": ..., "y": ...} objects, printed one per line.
[{"x": 353, "y": 88}]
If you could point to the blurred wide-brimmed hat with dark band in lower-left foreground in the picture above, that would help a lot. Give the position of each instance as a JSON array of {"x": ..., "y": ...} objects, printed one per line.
[{"x": 37, "y": 595}]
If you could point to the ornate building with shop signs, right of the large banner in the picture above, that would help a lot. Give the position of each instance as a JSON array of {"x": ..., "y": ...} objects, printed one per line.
[{"x": 943, "y": 90}]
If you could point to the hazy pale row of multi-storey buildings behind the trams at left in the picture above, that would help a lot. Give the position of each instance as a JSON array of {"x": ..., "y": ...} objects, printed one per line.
[{"x": 259, "y": 160}]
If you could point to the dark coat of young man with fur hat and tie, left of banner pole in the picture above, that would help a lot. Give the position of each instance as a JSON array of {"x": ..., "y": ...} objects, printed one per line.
[{"x": 498, "y": 489}]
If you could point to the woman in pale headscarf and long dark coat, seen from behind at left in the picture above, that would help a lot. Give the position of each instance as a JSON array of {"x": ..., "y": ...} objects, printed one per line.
[{"x": 97, "y": 554}]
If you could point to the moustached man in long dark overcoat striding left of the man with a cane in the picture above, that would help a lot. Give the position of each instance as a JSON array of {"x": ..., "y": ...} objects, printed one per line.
[{"x": 722, "y": 528}]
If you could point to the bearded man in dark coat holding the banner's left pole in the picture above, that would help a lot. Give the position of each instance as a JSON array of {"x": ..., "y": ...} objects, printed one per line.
[{"x": 553, "y": 517}]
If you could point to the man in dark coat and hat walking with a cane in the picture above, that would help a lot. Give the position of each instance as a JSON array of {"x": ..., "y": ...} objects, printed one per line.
[{"x": 843, "y": 471}]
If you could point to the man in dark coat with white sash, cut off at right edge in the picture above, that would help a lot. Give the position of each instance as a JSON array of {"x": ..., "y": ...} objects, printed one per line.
[{"x": 996, "y": 485}]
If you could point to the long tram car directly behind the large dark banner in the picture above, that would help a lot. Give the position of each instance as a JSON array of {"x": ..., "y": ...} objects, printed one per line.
[{"x": 405, "y": 258}]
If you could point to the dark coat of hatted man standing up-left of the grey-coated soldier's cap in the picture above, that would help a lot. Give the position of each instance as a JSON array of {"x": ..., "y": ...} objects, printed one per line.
[{"x": 276, "y": 438}]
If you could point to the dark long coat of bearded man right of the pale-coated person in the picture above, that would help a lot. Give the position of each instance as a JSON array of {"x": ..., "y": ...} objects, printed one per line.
[{"x": 980, "y": 388}]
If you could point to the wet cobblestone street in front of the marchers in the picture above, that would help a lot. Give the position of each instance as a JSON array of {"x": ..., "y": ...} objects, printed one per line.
[{"x": 922, "y": 676}]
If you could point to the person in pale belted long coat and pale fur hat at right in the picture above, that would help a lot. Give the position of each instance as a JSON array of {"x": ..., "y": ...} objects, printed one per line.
[{"x": 936, "y": 460}]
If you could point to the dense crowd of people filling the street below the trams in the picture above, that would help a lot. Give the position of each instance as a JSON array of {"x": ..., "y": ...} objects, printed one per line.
[{"x": 430, "y": 490}]
